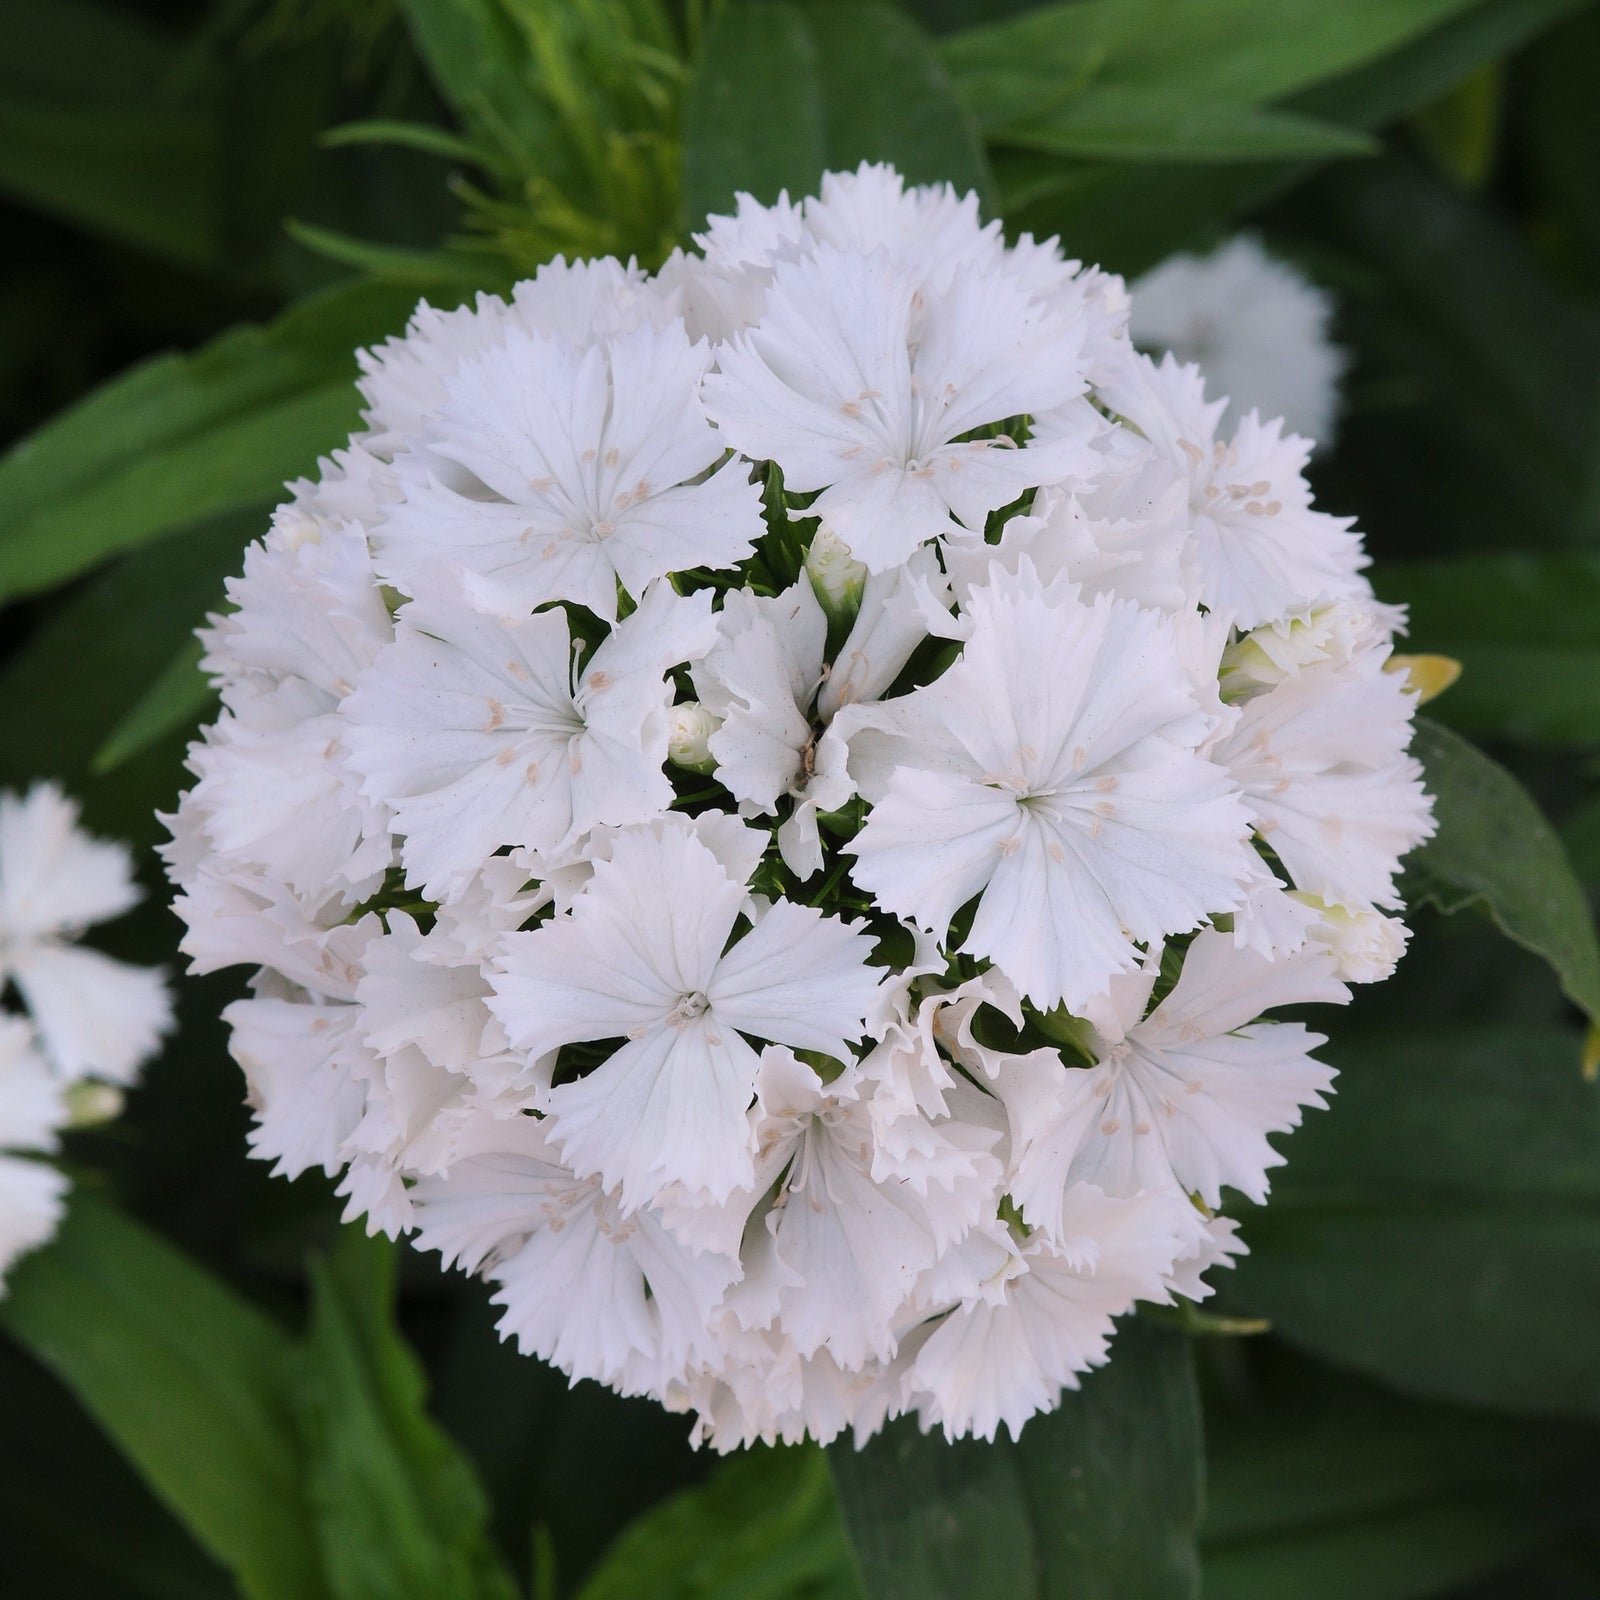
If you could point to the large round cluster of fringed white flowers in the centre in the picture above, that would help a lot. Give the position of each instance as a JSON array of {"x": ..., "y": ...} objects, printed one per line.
[{"x": 770, "y": 802}]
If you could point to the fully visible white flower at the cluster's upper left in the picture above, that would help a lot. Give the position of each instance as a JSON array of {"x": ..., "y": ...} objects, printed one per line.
[{"x": 575, "y": 470}]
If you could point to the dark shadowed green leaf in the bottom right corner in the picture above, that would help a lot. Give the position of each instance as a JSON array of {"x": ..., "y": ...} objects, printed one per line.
[{"x": 1324, "y": 1487}]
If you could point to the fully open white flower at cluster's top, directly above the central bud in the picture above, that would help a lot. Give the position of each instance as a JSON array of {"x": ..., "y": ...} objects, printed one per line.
[{"x": 862, "y": 385}]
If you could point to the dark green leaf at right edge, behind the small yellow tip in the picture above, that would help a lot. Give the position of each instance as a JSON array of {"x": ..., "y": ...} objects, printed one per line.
[{"x": 1524, "y": 631}]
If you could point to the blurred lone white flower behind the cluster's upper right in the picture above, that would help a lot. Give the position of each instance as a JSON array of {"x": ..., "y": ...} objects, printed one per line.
[{"x": 1257, "y": 327}]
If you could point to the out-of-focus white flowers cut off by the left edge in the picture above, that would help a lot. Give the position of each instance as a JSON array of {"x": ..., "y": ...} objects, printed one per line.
[{"x": 87, "y": 1022}]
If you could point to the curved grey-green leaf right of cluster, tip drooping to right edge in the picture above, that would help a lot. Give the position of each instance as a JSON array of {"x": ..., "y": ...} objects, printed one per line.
[{"x": 1497, "y": 850}]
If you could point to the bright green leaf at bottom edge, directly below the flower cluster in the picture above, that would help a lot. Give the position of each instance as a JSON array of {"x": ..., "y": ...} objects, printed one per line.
[{"x": 767, "y": 1527}]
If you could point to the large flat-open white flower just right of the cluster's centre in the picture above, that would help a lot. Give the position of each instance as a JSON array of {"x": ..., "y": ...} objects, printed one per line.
[{"x": 1052, "y": 772}]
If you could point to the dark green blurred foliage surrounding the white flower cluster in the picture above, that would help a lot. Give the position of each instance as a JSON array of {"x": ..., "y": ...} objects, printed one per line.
[{"x": 209, "y": 1391}]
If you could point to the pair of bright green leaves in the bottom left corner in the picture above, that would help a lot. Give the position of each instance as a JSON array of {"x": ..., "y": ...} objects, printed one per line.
[{"x": 306, "y": 1471}]
